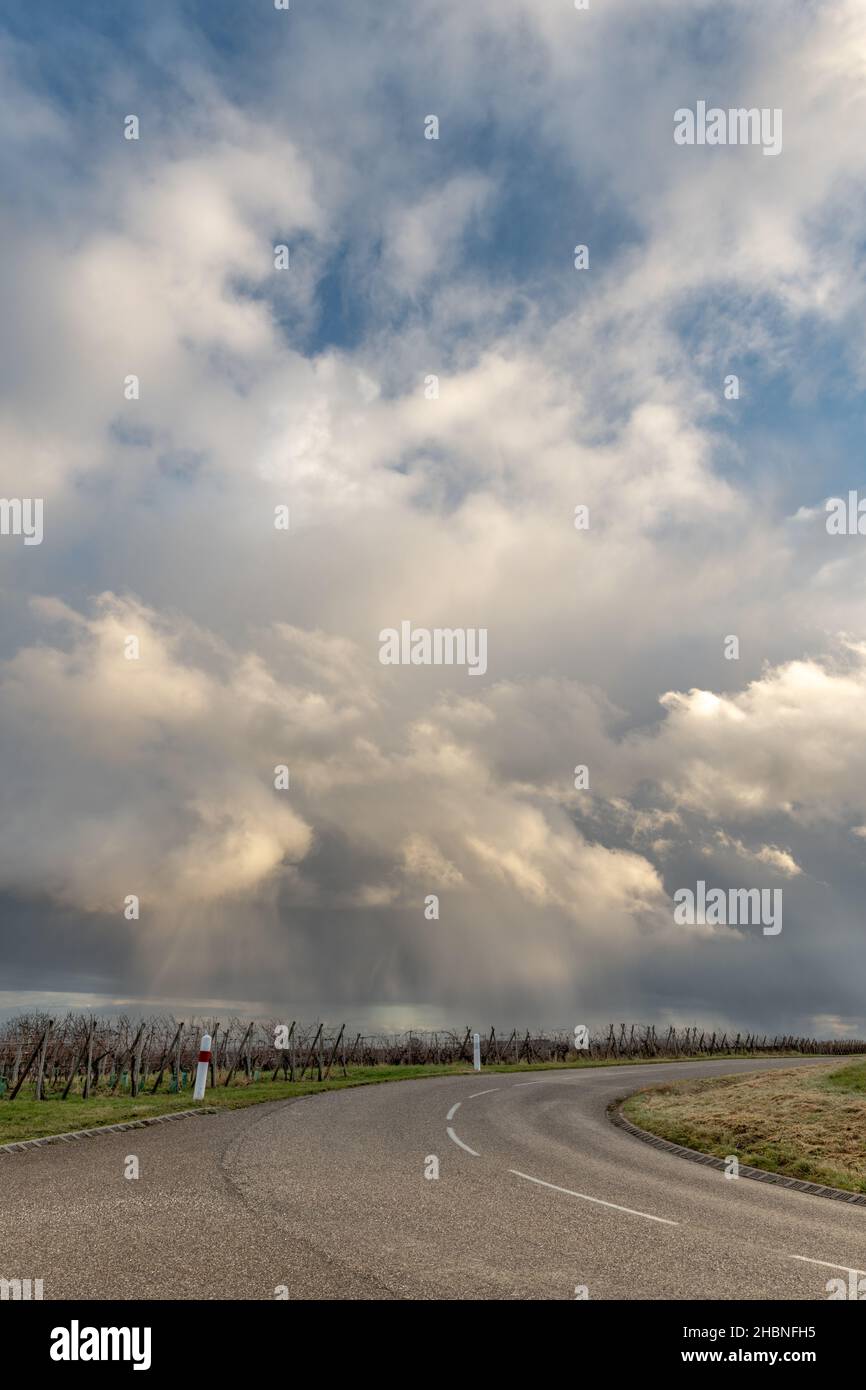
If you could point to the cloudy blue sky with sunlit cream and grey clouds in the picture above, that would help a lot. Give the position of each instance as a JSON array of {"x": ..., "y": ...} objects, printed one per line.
[{"x": 433, "y": 389}]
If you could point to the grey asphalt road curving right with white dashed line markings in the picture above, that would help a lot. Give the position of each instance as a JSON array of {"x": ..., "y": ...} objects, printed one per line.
[{"x": 327, "y": 1197}]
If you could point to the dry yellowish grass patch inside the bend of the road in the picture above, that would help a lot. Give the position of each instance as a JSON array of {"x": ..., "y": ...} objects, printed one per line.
[{"x": 807, "y": 1124}]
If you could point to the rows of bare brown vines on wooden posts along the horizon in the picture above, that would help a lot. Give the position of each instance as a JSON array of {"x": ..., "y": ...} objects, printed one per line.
[{"x": 83, "y": 1057}]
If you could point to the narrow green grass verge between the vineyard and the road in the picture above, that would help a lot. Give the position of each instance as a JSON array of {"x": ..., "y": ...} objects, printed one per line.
[{"x": 27, "y": 1118}]
